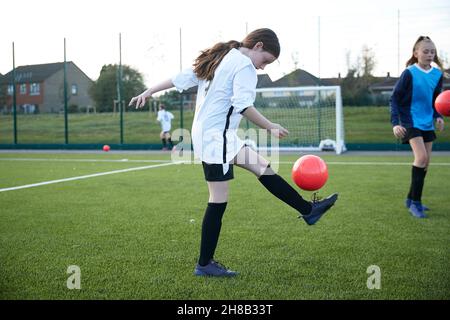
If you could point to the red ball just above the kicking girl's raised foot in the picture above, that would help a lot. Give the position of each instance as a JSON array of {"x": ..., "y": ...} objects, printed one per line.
[{"x": 310, "y": 173}]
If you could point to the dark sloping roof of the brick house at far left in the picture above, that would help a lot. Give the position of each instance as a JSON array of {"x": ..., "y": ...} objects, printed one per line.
[{"x": 35, "y": 72}]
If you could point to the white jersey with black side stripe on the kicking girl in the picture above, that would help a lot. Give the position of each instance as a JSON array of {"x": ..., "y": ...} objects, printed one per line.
[{"x": 219, "y": 105}]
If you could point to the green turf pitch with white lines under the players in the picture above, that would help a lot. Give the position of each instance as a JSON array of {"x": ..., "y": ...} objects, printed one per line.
[{"x": 135, "y": 235}]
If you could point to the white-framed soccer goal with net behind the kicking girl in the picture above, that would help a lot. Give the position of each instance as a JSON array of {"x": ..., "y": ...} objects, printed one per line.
[{"x": 313, "y": 116}]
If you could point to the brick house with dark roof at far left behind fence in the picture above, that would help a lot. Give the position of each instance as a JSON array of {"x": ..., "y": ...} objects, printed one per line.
[{"x": 40, "y": 88}]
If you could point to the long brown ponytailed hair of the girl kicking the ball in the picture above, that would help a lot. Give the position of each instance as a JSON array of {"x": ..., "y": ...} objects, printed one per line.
[{"x": 206, "y": 63}]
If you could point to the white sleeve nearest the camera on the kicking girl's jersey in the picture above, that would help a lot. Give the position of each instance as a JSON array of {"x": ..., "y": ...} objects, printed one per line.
[{"x": 244, "y": 88}]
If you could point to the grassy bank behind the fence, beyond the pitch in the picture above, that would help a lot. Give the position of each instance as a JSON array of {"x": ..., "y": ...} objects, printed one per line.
[{"x": 362, "y": 125}]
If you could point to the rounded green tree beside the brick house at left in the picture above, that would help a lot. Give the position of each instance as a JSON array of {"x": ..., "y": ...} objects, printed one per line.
[{"x": 104, "y": 90}]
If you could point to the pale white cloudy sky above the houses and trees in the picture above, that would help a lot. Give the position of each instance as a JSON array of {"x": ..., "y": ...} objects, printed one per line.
[{"x": 150, "y": 32}]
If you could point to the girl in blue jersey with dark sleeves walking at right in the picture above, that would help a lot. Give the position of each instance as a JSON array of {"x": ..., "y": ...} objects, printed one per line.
[{"x": 413, "y": 114}]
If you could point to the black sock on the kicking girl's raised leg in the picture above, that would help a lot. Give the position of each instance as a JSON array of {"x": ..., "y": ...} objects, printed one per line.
[{"x": 283, "y": 191}]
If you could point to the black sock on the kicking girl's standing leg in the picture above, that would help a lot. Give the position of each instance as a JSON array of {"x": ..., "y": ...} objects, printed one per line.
[{"x": 212, "y": 222}]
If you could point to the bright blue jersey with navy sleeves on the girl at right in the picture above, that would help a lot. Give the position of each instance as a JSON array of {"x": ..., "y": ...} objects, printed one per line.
[{"x": 412, "y": 101}]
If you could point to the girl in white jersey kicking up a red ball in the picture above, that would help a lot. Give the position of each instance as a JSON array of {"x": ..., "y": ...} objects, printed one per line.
[{"x": 226, "y": 78}]
